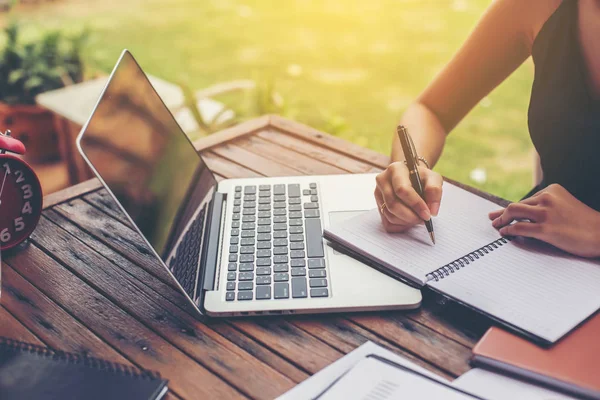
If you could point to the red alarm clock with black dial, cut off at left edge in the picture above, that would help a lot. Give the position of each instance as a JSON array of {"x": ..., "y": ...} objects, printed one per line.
[{"x": 20, "y": 194}]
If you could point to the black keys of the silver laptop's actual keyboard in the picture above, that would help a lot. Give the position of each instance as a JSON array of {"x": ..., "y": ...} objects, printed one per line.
[{"x": 276, "y": 246}]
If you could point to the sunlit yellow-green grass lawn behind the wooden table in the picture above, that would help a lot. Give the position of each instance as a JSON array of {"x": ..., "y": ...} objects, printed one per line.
[{"x": 347, "y": 66}]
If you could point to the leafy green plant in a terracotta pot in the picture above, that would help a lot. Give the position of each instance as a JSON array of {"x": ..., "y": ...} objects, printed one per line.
[{"x": 28, "y": 68}]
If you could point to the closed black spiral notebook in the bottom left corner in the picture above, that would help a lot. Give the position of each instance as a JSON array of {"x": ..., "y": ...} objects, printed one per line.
[{"x": 33, "y": 372}]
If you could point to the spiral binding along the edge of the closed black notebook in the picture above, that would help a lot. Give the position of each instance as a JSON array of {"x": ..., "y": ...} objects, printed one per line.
[{"x": 7, "y": 345}]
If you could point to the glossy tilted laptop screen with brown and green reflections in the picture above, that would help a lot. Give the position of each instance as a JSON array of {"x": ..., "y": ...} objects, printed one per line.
[{"x": 147, "y": 162}]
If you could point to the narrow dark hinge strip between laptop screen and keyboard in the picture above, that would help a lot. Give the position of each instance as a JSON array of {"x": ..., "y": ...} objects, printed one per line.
[{"x": 211, "y": 250}]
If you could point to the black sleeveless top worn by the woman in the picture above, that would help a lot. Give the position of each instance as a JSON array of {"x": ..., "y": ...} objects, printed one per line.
[{"x": 564, "y": 118}]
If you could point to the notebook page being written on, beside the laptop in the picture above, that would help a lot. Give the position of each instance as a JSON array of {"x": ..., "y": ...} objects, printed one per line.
[{"x": 461, "y": 227}]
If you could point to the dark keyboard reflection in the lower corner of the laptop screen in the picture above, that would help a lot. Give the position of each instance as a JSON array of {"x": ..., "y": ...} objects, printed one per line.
[{"x": 185, "y": 263}]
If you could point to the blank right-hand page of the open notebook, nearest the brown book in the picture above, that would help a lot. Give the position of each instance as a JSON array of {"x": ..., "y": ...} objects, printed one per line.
[{"x": 531, "y": 285}]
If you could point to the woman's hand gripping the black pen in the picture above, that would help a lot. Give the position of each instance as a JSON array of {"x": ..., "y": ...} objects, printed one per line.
[{"x": 404, "y": 208}]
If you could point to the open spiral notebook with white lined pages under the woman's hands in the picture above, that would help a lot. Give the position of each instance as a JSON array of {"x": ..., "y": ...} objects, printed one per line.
[{"x": 529, "y": 287}]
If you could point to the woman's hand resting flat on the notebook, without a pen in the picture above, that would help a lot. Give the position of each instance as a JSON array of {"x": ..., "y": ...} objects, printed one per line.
[{"x": 555, "y": 216}]
